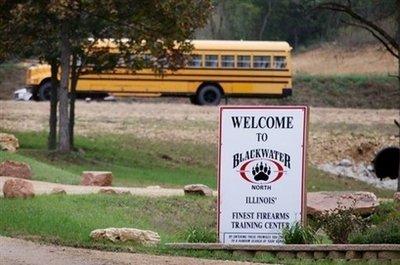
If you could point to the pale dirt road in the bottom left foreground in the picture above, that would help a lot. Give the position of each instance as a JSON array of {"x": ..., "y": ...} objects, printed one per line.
[{"x": 21, "y": 252}]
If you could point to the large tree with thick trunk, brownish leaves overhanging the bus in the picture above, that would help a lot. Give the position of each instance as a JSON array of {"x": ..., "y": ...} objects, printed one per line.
[{"x": 158, "y": 27}]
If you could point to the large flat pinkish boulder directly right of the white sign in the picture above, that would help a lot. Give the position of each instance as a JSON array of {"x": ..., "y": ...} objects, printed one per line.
[{"x": 362, "y": 202}]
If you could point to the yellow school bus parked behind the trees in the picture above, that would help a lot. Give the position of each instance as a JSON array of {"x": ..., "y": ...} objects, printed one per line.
[{"x": 216, "y": 69}]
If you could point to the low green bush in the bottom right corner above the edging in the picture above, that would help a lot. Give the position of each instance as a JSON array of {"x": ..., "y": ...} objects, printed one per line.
[{"x": 387, "y": 232}]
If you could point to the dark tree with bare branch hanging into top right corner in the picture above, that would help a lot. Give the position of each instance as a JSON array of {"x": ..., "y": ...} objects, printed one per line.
[{"x": 354, "y": 17}]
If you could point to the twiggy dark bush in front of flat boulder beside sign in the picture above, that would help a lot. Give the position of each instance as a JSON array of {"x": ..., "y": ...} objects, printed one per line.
[{"x": 340, "y": 223}]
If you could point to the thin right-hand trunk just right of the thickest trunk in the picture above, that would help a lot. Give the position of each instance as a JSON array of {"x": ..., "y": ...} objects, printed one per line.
[{"x": 74, "y": 82}]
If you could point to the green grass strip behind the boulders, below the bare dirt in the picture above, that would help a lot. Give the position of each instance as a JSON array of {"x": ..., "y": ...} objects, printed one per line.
[{"x": 138, "y": 162}]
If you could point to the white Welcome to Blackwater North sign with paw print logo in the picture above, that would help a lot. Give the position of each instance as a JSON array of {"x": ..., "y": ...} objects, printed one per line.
[{"x": 261, "y": 184}]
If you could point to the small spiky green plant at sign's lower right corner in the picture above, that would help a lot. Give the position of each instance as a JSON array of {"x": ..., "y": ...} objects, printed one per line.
[{"x": 297, "y": 234}]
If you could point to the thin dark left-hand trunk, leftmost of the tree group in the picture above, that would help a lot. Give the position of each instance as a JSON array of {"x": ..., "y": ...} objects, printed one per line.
[{"x": 52, "y": 140}]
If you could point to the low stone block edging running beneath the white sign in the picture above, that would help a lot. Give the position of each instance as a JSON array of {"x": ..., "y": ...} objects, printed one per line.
[{"x": 317, "y": 251}]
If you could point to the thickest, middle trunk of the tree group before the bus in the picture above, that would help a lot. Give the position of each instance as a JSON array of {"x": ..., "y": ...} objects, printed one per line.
[{"x": 64, "y": 144}]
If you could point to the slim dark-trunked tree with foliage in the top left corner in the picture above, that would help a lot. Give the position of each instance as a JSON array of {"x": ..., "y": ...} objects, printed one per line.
[{"x": 21, "y": 38}]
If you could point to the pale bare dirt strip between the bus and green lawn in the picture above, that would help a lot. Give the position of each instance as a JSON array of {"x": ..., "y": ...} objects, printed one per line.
[{"x": 335, "y": 133}]
